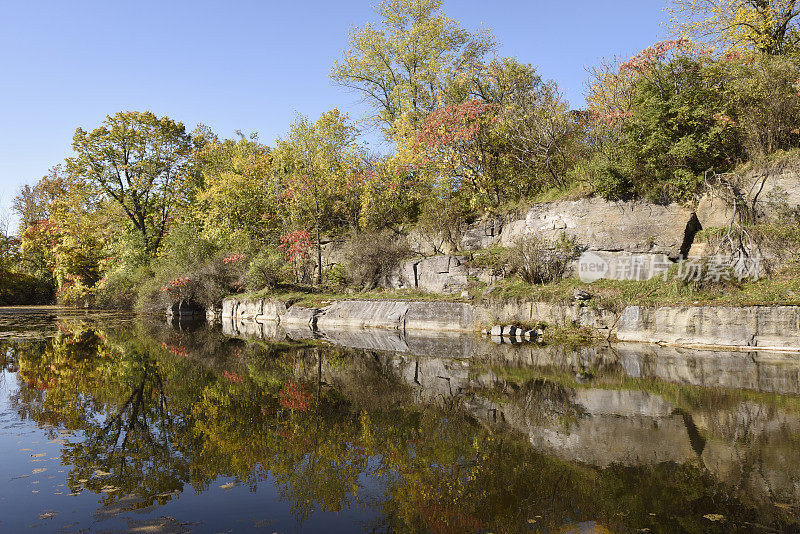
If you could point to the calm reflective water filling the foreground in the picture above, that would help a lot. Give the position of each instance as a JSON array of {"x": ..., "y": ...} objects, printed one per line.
[{"x": 111, "y": 423}]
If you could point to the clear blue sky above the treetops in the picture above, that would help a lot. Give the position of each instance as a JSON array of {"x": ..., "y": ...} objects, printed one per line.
[{"x": 247, "y": 65}]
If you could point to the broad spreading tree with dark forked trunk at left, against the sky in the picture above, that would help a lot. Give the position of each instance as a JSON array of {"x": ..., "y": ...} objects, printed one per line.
[{"x": 135, "y": 158}]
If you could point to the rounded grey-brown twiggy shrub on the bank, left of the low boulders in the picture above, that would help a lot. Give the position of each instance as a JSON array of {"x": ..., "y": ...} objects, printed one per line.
[{"x": 372, "y": 257}]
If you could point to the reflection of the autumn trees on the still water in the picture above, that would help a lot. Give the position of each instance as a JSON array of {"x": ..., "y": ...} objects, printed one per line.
[{"x": 159, "y": 410}]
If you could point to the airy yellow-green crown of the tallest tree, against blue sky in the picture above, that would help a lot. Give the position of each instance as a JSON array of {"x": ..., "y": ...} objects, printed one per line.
[{"x": 401, "y": 65}]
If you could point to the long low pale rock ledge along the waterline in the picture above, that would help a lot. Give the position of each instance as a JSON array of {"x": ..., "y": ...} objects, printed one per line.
[{"x": 769, "y": 327}]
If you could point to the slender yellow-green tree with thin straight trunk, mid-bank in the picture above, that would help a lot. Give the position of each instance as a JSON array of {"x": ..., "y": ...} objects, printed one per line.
[{"x": 315, "y": 164}]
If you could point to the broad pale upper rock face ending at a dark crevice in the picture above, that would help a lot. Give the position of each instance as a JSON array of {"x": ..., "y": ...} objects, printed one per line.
[{"x": 608, "y": 226}]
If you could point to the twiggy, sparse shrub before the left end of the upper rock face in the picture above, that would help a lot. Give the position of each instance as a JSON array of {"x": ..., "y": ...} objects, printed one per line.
[{"x": 539, "y": 261}]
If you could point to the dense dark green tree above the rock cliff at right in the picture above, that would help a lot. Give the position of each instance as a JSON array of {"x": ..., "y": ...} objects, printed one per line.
[{"x": 679, "y": 126}]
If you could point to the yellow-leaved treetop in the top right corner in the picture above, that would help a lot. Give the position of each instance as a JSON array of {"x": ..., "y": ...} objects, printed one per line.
[{"x": 767, "y": 26}]
